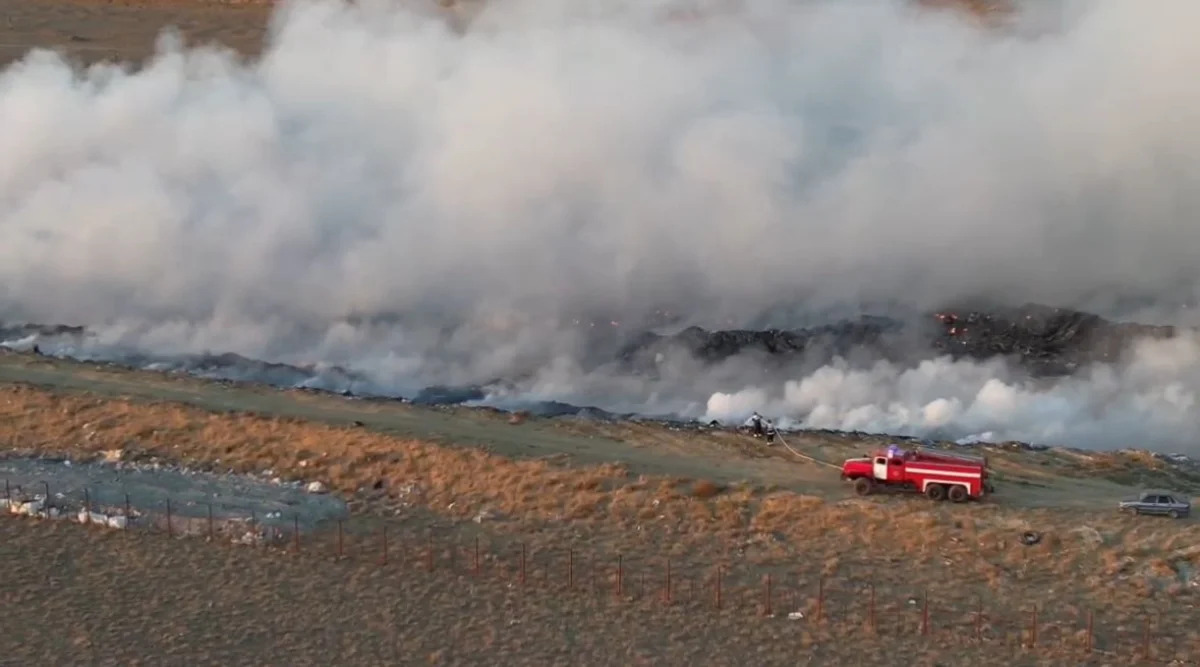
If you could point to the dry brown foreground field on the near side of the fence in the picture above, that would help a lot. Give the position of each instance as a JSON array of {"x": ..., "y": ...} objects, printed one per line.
[{"x": 76, "y": 596}]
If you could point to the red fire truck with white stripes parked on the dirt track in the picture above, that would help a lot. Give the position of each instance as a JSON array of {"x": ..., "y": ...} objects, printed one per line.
[{"x": 939, "y": 476}]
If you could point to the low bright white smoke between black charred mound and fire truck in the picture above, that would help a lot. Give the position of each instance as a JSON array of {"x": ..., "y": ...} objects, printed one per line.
[{"x": 1149, "y": 402}]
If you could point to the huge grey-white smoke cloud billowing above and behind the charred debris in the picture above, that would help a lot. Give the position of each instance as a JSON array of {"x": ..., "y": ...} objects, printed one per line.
[{"x": 430, "y": 205}]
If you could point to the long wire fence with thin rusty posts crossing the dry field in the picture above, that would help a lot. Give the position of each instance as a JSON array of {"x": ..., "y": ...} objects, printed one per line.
[{"x": 837, "y": 604}]
